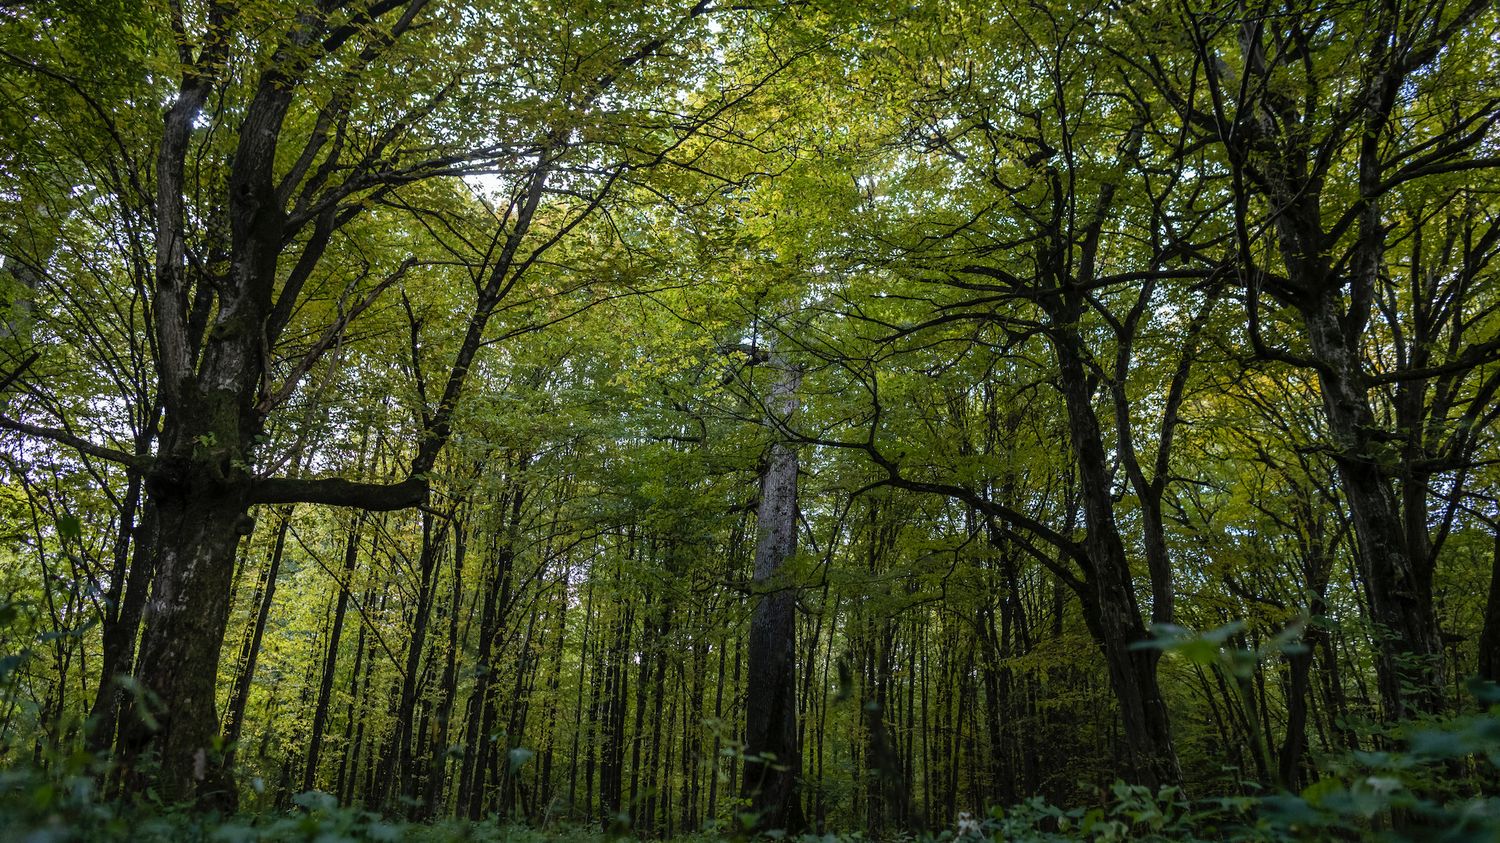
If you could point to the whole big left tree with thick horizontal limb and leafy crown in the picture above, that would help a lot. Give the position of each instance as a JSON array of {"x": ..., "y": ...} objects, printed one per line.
[{"x": 311, "y": 148}]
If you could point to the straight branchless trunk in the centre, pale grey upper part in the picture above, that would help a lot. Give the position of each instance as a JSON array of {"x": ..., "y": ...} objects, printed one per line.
[{"x": 773, "y": 758}]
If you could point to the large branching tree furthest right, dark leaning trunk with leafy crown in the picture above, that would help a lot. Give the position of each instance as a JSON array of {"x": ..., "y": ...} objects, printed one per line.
[{"x": 1325, "y": 139}]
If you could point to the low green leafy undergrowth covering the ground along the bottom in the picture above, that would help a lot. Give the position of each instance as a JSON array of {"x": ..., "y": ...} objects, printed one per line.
[{"x": 1439, "y": 782}]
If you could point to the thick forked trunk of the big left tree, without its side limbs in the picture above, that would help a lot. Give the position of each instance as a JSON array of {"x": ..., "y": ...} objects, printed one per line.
[{"x": 200, "y": 485}]
